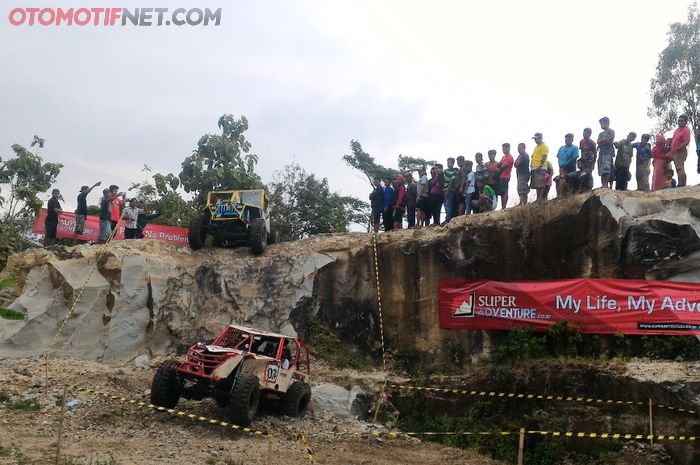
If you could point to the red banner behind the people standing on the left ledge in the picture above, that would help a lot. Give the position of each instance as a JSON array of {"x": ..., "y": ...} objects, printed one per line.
[{"x": 66, "y": 229}]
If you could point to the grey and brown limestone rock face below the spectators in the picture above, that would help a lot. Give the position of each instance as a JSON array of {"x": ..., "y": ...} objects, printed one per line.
[{"x": 136, "y": 297}]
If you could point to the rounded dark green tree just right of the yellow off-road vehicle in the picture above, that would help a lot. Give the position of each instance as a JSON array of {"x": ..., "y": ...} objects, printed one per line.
[{"x": 302, "y": 205}]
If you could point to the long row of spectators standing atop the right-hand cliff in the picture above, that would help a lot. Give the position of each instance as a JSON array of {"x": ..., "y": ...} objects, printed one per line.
[{"x": 476, "y": 186}]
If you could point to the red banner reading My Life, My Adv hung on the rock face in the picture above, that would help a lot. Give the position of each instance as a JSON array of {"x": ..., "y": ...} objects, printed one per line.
[{"x": 595, "y": 306}]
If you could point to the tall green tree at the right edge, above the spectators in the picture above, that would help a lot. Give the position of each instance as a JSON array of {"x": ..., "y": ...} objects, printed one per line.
[{"x": 676, "y": 87}]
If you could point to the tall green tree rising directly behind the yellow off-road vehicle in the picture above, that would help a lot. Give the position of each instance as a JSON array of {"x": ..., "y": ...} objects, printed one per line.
[{"x": 221, "y": 161}]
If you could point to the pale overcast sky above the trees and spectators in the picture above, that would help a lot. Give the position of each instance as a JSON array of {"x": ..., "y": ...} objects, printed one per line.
[{"x": 431, "y": 79}]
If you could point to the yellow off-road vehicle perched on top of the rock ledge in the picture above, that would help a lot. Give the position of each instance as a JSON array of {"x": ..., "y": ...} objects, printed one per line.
[{"x": 231, "y": 218}]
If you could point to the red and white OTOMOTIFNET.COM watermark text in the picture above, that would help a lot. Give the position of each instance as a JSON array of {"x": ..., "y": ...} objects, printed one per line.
[{"x": 114, "y": 17}]
